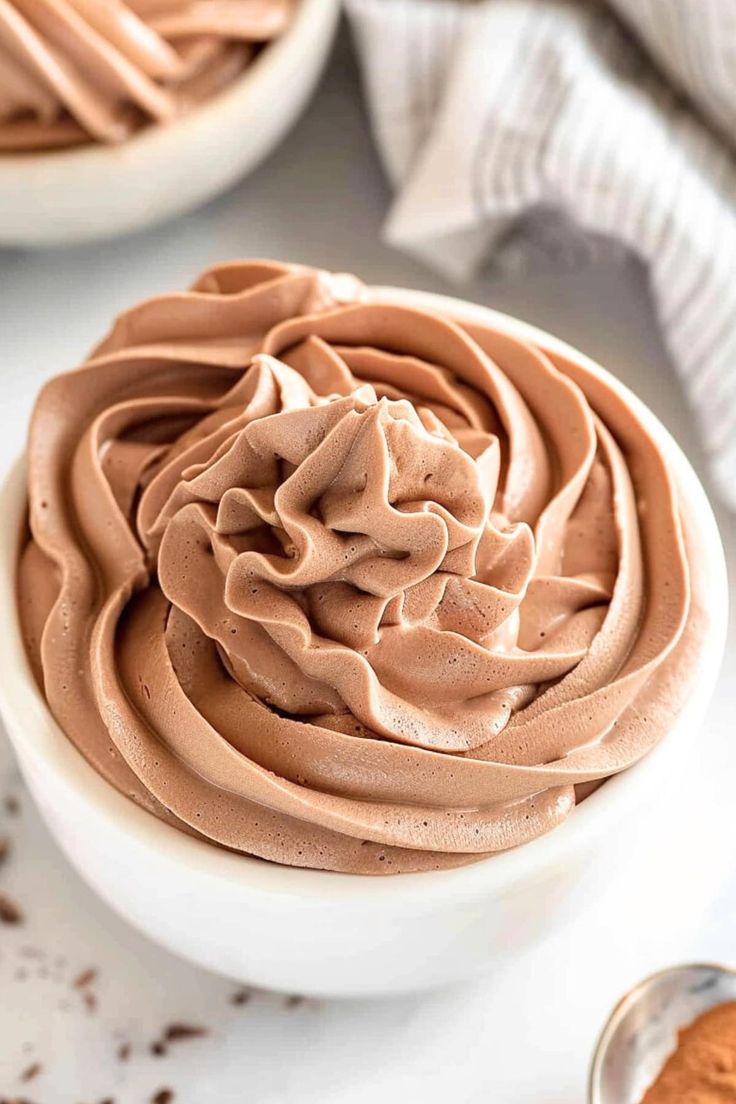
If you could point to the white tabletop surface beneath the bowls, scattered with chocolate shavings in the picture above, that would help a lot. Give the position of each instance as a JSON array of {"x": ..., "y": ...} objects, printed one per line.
[{"x": 524, "y": 1037}]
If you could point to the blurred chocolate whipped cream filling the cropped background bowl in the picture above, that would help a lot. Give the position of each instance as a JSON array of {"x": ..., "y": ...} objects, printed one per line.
[{"x": 74, "y": 71}]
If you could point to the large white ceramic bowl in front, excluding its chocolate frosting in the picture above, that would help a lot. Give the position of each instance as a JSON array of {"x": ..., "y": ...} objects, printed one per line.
[{"x": 329, "y": 935}]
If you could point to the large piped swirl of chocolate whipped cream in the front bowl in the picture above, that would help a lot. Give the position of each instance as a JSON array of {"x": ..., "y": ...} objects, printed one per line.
[{"x": 349, "y": 586}]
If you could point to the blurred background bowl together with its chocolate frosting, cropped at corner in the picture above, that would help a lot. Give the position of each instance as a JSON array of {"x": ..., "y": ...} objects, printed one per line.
[{"x": 115, "y": 116}]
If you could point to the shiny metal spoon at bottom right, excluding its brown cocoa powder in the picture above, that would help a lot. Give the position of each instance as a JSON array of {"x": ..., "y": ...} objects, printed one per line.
[{"x": 643, "y": 1029}]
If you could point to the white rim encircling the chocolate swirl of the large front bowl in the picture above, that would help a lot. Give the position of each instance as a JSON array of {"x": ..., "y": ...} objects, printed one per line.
[{"x": 36, "y": 734}]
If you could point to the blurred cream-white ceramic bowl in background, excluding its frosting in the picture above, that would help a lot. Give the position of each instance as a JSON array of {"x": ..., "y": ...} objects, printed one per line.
[{"x": 103, "y": 192}]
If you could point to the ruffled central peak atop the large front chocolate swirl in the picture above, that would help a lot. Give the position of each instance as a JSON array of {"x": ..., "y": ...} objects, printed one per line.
[{"x": 345, "y": 538}]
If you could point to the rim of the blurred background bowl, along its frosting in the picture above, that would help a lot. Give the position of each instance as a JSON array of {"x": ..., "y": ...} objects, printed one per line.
[{"x": 279, "y": 54}]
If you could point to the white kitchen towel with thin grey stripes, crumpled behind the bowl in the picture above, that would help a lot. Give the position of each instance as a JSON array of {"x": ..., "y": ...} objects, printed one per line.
[{"x": 621, "y": 116}]
